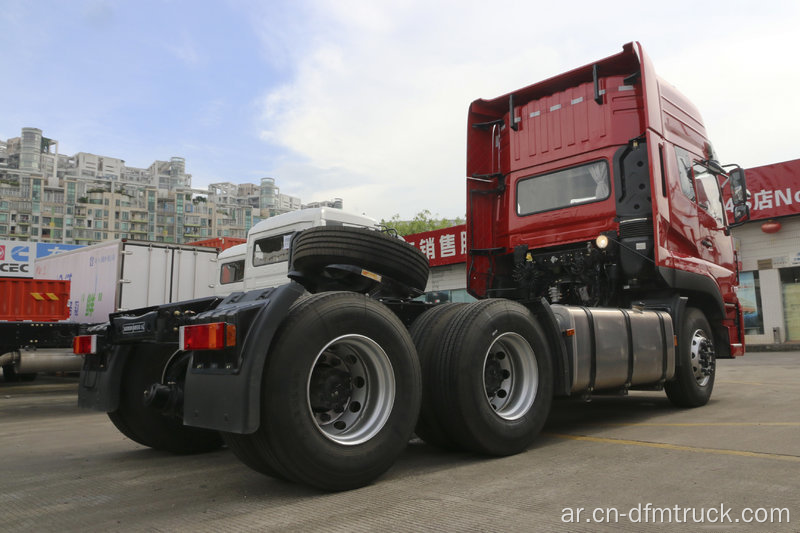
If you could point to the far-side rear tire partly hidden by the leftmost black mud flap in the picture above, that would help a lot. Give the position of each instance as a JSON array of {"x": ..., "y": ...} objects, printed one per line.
[{"x": 148, "y": 426}]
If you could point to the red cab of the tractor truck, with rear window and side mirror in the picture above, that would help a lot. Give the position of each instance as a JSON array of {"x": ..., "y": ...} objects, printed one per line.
[{"x": 599, "y": 187}]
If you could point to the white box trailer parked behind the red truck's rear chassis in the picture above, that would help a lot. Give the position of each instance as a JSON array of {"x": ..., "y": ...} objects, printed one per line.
[{"x": 118, "y": 275}]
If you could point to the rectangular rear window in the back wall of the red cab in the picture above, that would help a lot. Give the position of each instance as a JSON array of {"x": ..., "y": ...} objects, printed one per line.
[{"x": 563, "y": 188}]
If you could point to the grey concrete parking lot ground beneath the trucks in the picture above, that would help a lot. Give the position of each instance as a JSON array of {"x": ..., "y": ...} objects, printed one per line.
[{"x": 65, "y": 469}]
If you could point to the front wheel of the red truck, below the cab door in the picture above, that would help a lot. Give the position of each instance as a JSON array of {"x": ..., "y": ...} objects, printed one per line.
[{"x": 694, "y": 375}]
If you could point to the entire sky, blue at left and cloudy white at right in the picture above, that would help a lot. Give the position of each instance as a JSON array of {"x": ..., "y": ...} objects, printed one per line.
[{"x": 367, "y": 100}]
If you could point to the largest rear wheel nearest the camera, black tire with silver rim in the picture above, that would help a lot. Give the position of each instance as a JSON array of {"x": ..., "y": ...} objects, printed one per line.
[{"x": 341, "y": 353}]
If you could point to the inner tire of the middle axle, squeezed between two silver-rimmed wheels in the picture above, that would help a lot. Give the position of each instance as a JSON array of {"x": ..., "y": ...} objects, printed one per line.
[{"x": 426, "y": 332}]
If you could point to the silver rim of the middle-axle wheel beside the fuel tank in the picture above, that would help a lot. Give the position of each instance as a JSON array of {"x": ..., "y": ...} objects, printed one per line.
[{"x": 510, "y": 376}]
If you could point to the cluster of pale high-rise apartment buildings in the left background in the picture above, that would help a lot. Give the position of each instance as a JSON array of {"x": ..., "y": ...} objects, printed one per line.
[{"x": 87, "y": 198}]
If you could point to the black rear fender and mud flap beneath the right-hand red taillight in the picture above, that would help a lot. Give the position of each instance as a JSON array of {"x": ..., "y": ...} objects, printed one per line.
[{"x": 231, "y": 402}]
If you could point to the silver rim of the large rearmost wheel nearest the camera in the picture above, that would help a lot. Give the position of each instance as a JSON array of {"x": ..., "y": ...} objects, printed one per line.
[{"x": 351, "y": 389}]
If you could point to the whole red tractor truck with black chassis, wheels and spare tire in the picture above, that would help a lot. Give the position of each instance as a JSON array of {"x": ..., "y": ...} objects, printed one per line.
[{"x": 599, "y": 250}]
